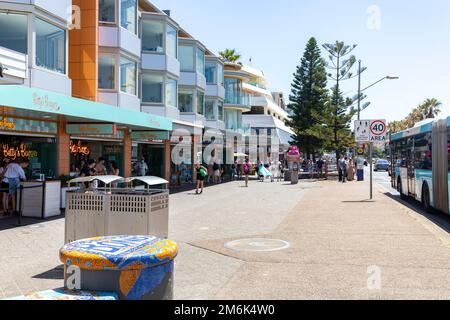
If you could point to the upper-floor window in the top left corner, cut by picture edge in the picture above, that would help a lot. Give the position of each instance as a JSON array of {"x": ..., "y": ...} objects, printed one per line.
[{"x": 14, "y": 32}]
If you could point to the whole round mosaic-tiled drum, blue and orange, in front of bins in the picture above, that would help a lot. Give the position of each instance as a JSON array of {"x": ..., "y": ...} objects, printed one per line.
[{"x": 135, "y": 267}]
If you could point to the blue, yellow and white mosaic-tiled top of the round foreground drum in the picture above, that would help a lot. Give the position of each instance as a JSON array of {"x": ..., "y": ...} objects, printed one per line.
[{"x": 118, "y": 253}]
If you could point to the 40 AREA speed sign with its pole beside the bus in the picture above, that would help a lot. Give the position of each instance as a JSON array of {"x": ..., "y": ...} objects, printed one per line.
[{"x": 370, "y": 132}]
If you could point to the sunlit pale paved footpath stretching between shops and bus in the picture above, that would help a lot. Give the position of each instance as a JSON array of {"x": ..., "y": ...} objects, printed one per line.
[{"x": 337, "y": 239}]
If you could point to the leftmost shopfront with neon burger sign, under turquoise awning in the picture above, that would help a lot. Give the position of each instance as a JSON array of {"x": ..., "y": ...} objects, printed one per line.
[{"x": 30, "y": 140}]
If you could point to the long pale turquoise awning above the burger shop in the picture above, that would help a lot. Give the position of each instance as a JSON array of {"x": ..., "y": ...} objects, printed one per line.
[{"x": 20, "y": 100}]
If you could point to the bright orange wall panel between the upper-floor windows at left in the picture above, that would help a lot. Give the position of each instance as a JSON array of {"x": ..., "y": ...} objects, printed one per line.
[{"x": 83, "y": 52}]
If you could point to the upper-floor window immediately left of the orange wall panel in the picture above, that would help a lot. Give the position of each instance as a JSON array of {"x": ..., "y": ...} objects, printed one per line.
[{"x": 50, "y": 46}]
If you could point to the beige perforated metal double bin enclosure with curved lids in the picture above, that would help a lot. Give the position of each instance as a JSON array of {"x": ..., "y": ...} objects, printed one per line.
[{"x": 107, "y": 211}]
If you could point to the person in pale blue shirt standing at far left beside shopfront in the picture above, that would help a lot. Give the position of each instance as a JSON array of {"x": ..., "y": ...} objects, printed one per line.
[{"x": 11, "y": 174}]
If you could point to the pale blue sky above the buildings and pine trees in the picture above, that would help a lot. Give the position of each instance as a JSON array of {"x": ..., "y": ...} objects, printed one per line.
[{"x": 413, "y": 42}]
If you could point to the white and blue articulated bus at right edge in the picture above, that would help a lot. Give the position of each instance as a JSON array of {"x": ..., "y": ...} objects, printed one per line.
[{"x": 420, "y": 160}]
